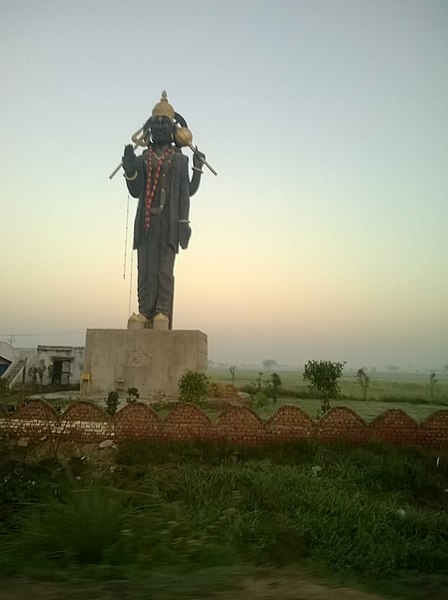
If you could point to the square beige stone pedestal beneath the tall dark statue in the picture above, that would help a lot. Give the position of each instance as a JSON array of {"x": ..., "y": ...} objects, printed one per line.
[{"x": 150, "y": 360}]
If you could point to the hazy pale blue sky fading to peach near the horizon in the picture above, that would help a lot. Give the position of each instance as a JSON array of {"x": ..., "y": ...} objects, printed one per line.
[{"x": 324, "y": 235}]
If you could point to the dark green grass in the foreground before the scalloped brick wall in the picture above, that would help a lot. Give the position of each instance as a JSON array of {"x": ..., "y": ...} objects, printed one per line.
[{"x": 373, "y": 513}]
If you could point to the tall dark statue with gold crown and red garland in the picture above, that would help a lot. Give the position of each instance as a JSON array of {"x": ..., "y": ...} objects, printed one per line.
[{"x": 159, "y": 179}]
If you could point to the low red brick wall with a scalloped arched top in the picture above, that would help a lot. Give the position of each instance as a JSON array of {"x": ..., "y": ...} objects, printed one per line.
[{"x": 86, "y": 422}]
